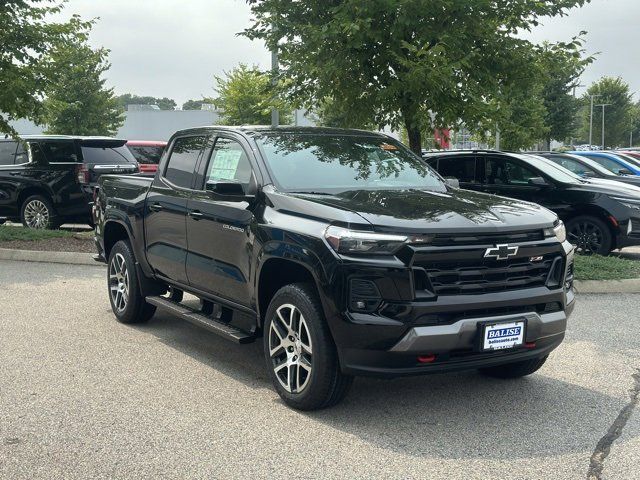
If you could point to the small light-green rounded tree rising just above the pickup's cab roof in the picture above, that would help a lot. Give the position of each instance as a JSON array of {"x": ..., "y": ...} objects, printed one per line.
[{"x": 246, "y": 96}]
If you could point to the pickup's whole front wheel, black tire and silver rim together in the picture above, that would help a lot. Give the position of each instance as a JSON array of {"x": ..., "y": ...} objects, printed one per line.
[{"x": 300, "y": 354}]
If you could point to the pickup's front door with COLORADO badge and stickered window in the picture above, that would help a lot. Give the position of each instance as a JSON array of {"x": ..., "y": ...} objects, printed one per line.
[{"x": 220, "y": 228}]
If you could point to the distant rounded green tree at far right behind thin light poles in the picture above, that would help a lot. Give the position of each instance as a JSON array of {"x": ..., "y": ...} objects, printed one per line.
[{"x": 618, "y": 115}]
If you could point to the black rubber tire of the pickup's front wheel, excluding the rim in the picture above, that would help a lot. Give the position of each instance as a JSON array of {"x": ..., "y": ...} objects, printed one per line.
[{"x": 324, "y": 358}]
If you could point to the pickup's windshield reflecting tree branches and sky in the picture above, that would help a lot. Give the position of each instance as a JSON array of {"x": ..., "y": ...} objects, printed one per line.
[{"x": 301, "y": 162}]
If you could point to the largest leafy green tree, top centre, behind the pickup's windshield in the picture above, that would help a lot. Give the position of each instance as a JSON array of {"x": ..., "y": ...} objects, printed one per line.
[{"x": 398, "y": 61}]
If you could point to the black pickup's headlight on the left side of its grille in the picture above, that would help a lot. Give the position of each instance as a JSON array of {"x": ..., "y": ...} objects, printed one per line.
[{"x": 344, "y": 240}]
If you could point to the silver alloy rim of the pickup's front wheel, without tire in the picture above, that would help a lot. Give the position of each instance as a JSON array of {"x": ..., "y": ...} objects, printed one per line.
[{"x": 290, "y": 348}]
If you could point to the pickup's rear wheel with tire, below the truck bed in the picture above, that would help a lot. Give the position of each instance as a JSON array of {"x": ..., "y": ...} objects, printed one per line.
[{"x": 125, "y": 297}]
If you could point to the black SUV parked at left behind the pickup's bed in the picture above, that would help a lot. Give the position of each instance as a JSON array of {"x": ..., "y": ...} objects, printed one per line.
[{"x": 48, "y": 180}]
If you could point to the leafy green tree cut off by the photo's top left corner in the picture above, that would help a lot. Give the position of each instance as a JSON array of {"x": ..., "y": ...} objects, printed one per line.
[{"x": 26, "y": 71}]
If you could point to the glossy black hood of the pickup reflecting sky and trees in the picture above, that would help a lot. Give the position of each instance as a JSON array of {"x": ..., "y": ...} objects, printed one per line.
[{"x": 427, "y": 211}]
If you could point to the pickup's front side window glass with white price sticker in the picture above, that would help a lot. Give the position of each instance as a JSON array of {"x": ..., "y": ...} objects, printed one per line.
[{"x": 229, "y": 162}]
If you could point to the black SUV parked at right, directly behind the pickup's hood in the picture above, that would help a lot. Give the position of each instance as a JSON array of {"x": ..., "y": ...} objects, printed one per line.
[{"x": 599, "y": 215}]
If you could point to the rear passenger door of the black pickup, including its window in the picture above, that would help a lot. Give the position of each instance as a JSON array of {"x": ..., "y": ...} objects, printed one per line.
[{"x": 166, "y": 208}]
